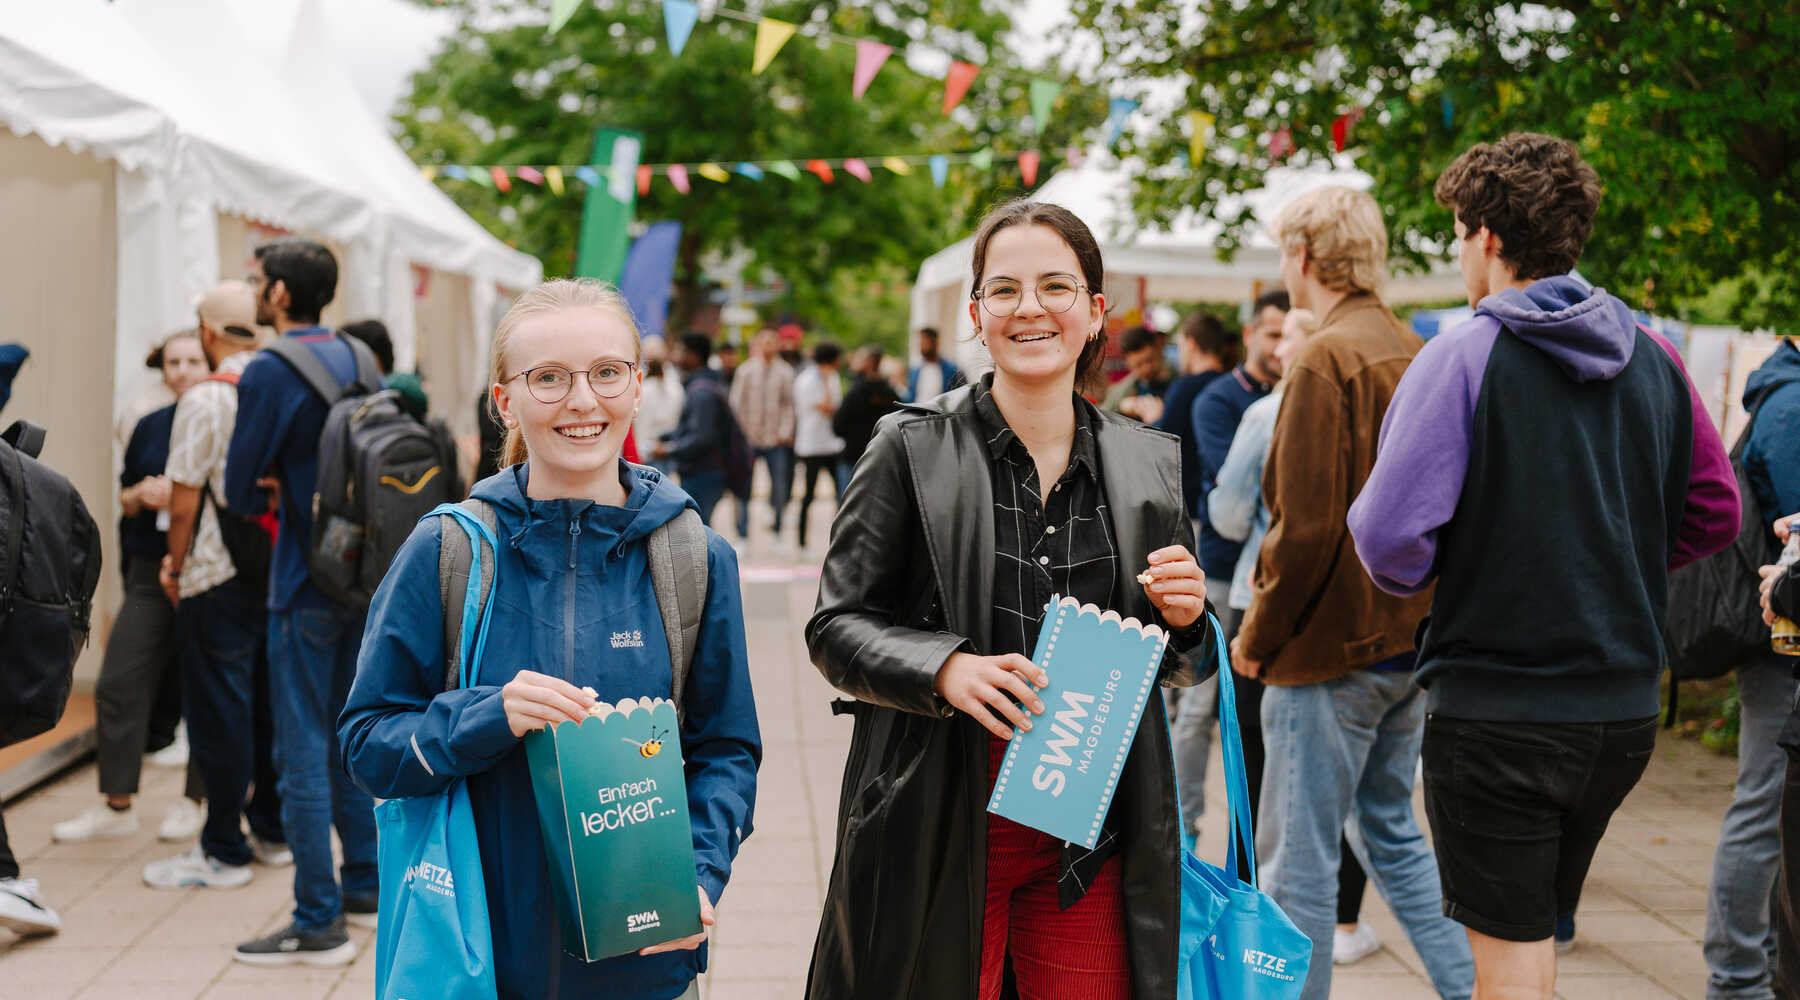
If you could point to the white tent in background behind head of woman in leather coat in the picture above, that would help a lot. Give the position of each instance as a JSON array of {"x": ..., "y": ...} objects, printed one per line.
[{"x": 1178, "y": 263}]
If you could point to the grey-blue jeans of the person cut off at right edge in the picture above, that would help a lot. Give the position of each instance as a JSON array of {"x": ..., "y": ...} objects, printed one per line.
[{"x": 1740, "y": 936}]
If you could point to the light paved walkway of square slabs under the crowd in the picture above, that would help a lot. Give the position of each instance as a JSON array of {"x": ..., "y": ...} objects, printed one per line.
[{"x": 1641, "y": 916}]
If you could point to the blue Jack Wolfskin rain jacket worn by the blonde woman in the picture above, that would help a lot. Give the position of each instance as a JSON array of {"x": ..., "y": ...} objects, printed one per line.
[{"x": 573, "y": 578}]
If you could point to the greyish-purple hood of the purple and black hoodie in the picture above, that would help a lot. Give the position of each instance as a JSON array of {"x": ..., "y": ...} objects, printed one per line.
[{"x": 1588, "y": 332}]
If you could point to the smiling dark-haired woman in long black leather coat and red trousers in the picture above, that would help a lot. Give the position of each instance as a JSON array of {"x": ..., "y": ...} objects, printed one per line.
[{"x": 966, "y": 515}]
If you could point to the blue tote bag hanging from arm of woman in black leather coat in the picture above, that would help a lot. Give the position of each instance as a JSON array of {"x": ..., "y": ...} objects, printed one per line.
[{"x": 1236, "y": 942}]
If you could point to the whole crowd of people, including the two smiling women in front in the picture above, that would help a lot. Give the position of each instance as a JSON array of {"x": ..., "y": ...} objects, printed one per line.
[{"x": 1425, "y": 560}]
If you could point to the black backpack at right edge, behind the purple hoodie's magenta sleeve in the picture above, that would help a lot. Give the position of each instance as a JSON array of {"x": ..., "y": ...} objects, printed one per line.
[{"x": 1714, "y": 621}]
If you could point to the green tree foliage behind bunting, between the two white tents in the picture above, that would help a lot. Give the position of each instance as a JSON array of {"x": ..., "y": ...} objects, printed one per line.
[{"x": 503, "y": 91}]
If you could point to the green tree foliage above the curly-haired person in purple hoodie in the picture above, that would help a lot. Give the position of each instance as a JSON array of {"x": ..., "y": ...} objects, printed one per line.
[{"x": 1687, "y": 109}]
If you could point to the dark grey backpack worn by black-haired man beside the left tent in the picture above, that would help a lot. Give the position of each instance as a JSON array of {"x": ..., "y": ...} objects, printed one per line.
[{"x": 381, "y": 470}]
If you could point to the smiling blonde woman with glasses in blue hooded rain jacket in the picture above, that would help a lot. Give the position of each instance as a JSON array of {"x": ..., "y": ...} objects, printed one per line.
[{"x": 575, "y": 620}]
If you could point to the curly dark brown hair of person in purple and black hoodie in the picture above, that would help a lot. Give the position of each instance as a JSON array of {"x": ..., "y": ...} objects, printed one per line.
[{"x": 1529, "y": 190}]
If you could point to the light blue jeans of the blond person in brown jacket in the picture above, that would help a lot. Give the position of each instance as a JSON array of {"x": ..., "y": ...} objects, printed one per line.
[{"x": 1347, "y": 751}]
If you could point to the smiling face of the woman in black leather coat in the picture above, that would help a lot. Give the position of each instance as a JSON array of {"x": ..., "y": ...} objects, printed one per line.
[{"x": 1036, "y": 344}]
